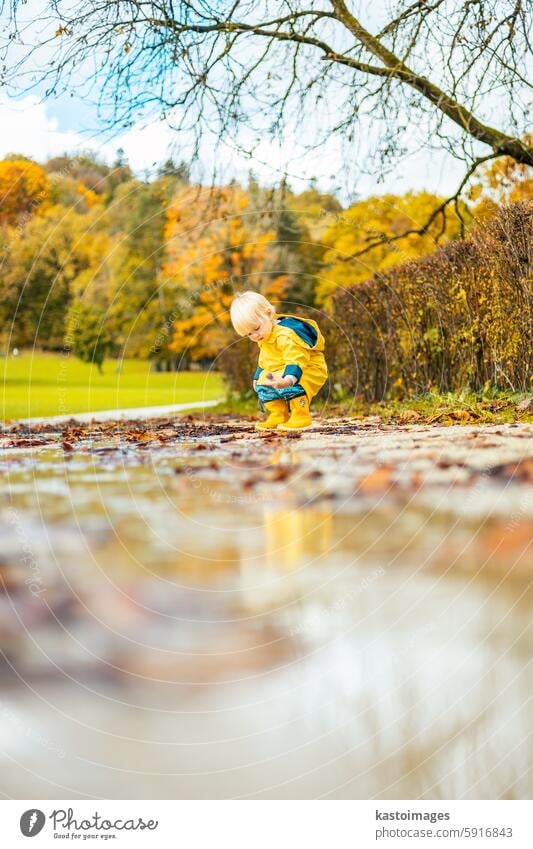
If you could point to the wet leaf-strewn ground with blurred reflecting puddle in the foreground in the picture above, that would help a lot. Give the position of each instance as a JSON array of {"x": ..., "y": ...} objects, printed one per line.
[{"x": 191, "y": 609}]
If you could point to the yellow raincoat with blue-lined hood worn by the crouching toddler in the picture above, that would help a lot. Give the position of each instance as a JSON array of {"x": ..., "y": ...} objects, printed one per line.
[{"x": 296, "y": 347}]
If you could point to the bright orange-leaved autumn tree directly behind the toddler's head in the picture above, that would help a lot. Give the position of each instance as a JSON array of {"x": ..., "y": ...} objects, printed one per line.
[{"x": 215, "y": 246}]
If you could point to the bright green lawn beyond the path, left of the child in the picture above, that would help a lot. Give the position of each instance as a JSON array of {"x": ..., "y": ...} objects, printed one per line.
[{"x": 35, "y": 384}]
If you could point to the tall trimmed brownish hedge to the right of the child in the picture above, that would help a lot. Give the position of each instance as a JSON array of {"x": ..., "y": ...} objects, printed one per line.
[{"x": 460, "y": 318}]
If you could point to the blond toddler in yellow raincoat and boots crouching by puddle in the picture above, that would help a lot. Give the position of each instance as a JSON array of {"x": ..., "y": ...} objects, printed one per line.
[{"x": 291, "y": 366}]
